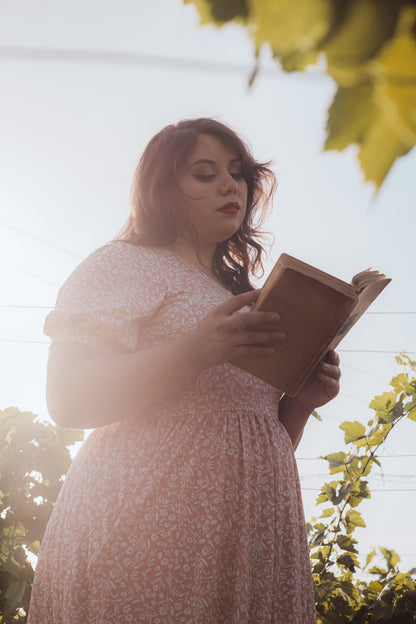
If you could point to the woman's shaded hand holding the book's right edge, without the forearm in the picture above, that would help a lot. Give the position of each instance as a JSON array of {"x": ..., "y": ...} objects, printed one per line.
[{"x": 322, "y": 385}]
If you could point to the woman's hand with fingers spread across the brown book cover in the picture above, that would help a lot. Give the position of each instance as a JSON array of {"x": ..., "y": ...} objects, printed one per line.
[{"x": 227, "y": 333}]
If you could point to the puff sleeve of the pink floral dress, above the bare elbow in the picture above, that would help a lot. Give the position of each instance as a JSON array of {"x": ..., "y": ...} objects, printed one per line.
[{"x": 108, "y": 298}]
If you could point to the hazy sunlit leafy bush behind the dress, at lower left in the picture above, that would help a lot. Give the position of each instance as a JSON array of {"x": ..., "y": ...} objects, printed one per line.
[{"x": 34, "y": 459}]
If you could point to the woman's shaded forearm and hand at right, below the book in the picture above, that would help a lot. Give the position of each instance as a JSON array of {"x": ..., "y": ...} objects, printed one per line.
[{"x": 321, "y": 387}]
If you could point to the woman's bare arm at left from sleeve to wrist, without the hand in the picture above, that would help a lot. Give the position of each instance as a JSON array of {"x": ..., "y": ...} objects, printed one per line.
[{"x": 88, "y": 389}]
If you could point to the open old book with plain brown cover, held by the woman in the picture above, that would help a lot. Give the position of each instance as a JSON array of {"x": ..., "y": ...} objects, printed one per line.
[{"x": 316, "y": 311}]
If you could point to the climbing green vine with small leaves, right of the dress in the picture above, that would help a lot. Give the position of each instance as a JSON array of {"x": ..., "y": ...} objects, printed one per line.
[{"x": 333, "y": 549}]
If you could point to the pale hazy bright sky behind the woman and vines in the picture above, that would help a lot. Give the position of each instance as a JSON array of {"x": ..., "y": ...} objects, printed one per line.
[{"x": 72, "y": 129}]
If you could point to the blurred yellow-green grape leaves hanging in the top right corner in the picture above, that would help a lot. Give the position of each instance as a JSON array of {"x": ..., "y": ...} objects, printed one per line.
[{"x": 369, "y": 50}]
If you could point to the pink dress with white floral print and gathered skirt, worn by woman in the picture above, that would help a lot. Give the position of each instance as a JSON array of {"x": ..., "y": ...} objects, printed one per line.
[{"x": 190, "y": 512}]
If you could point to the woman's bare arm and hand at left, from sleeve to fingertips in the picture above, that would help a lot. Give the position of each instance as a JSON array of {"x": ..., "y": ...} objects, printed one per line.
[{"x": 88, "y": 389}]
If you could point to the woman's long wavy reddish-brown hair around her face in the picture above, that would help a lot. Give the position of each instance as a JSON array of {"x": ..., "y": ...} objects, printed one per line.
[{"x": 155, "y": 214}]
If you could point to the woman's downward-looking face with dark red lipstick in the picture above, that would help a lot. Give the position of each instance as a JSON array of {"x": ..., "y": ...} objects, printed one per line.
[{"x": 213, "y": 192}]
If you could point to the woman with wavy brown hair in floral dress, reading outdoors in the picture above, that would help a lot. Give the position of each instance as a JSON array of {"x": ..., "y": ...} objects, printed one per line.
[{"x": 184, "y": 504}]
